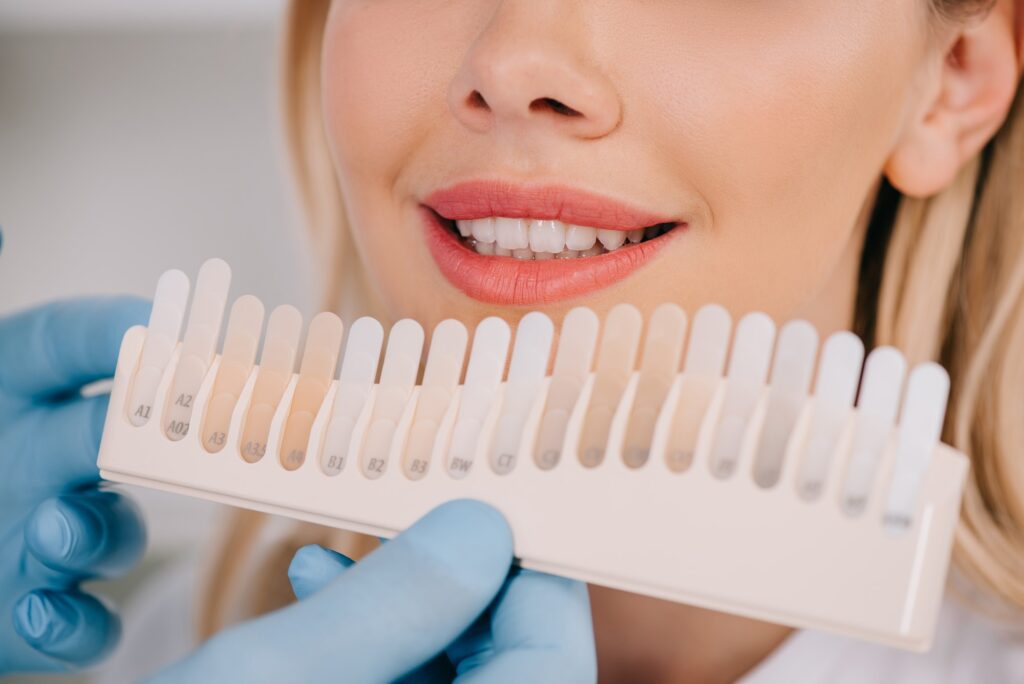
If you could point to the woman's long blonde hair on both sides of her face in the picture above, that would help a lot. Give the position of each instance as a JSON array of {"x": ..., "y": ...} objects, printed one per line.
[{"x": 942, "y": 279}]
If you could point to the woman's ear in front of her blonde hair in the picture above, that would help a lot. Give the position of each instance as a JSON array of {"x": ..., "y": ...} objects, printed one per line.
[{"x": 968, "y": 101}]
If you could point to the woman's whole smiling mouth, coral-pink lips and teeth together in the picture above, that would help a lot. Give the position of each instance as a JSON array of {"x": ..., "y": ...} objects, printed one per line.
[{"x": 515, "y": 244}]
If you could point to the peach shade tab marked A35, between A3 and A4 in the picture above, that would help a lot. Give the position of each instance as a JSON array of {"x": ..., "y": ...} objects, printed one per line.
[{"x": 276, "y": 367}]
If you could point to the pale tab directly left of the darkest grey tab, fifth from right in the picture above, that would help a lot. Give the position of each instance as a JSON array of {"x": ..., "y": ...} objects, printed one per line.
[{"x": 748, "y": 372}]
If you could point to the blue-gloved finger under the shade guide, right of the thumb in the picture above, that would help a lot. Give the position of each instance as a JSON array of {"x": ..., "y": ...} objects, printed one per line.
[{"x": 541, "y": 630}]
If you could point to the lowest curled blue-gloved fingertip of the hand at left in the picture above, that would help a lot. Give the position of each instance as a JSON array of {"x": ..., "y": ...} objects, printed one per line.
[{"x": 65, "y": 629}]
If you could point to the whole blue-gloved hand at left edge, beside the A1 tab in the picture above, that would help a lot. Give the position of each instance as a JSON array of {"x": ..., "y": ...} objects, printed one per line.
[{"x": 57, "y": 529}]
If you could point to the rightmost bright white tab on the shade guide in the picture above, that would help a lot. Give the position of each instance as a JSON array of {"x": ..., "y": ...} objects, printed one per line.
[{"x": 920, "y": 430}]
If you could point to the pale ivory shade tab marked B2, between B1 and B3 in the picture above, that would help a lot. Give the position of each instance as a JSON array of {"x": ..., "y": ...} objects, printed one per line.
[{"x": 402, "y": 365}]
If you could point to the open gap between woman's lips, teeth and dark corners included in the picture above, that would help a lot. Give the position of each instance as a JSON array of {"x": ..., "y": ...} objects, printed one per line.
[{"x": 530, "y": 240}]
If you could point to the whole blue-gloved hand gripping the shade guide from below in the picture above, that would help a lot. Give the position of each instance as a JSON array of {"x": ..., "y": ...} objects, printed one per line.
[{"x": 438, "y": 604}]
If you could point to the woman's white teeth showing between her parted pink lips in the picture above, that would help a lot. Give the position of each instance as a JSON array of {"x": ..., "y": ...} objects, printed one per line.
[{"x": 541, "y": 237}]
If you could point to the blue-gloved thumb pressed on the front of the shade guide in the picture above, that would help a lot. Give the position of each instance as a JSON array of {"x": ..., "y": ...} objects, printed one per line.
[{"x": 389, "y": 615}]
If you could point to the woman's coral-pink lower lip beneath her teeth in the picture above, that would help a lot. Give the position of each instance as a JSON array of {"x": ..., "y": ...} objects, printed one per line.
[{"x": 506, "y": 281}]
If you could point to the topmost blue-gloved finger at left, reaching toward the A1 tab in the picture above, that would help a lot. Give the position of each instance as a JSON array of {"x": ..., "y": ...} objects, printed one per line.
[{"x": 54, "y": 350}]
